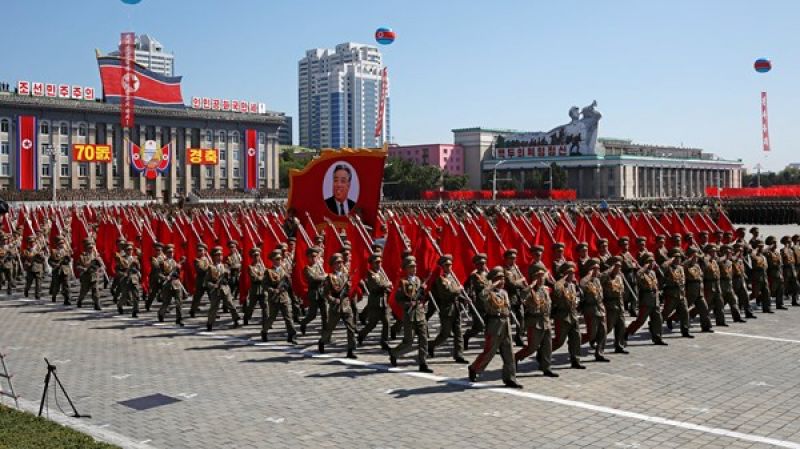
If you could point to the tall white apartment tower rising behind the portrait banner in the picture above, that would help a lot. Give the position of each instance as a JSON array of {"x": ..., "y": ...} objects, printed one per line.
[{"x": 339, "y": 96}]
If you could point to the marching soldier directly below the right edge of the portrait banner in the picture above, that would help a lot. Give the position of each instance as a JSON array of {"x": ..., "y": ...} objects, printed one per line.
[{"x": 379, "y": 288}]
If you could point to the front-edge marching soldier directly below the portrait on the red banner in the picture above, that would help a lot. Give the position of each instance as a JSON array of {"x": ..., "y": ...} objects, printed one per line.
[{"x": 336, "y": 291}]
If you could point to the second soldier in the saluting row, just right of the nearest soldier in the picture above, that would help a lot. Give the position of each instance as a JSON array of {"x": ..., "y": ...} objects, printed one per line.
[{"x": 537, "y": 321}]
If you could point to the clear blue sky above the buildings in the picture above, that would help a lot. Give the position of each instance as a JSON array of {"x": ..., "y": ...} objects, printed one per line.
[{"x": 663, "y": 72}]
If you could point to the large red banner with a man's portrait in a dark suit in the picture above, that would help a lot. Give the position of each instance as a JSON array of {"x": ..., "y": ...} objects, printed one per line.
[{"x": 338, "y": 184}]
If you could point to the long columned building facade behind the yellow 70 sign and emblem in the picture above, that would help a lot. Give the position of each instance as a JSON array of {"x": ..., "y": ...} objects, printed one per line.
[{"x": 63, "y": 123}]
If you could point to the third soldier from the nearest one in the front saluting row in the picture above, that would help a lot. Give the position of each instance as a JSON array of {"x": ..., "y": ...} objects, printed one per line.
[{"x": 565, "y": 314}]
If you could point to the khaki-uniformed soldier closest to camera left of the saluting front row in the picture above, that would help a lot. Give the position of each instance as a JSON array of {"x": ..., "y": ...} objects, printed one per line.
[{"x": 410, "y": 296}]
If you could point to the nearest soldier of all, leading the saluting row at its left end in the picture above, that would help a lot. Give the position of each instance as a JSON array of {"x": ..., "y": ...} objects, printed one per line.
[{"x": 498, "y": 332}]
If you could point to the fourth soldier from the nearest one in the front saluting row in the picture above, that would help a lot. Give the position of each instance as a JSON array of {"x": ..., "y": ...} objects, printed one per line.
[{"x": 593, "y": 308}]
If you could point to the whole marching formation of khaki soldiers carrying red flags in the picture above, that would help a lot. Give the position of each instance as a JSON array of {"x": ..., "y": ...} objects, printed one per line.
[{"x": 527, "y": 280}]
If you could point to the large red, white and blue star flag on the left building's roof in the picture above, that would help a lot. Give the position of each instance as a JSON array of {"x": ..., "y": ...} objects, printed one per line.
[{"x": 147, "y": 87}]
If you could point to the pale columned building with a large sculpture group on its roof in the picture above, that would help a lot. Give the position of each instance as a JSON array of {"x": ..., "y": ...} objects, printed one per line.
[{"x": 595, "y": 168}]
